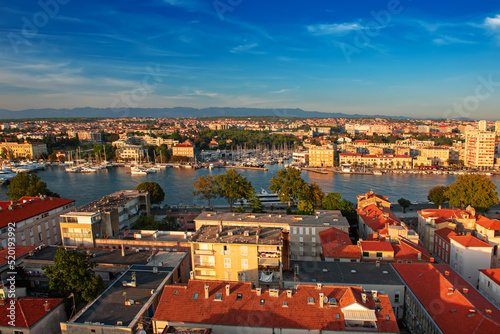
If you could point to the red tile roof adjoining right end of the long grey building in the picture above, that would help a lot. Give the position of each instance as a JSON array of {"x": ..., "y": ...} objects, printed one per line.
[{"x": 337, "y": 244}]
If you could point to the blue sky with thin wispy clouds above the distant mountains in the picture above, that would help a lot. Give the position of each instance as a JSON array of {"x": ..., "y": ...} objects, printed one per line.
[{"x": 410, "y": 58}]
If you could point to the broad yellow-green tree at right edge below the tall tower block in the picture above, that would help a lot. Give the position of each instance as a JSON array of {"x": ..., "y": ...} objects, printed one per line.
[{"x": 475, "y": 190}]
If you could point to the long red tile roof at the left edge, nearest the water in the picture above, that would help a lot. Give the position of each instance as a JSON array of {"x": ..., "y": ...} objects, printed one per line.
[{"x": 33, "y": 207}]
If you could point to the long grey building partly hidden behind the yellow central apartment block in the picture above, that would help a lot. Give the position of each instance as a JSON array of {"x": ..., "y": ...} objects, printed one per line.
[{"x": 304, "y": 231}]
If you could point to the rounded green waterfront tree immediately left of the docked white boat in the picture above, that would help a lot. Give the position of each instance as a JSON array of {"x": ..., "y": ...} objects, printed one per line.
[{"x": 232, "y": 187}]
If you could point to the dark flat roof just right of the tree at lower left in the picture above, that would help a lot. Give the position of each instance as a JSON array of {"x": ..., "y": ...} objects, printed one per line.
[{"x": 109, "y": 307}]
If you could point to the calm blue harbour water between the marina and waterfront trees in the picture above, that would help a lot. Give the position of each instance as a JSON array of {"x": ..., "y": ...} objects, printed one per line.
[{"x": 178, "y": 183}]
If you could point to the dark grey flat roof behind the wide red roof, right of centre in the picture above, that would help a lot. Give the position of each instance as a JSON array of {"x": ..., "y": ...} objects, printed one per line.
[{"x": 342, "y": 273}]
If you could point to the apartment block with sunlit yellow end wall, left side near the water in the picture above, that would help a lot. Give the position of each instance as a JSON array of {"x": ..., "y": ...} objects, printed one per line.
[{"x": 103, "y": 217}]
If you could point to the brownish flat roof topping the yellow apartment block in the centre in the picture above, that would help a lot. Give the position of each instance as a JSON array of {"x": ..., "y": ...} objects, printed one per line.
[{"x": 238, "y": 235}]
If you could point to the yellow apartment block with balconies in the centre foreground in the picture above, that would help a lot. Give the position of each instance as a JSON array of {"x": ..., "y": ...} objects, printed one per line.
[{"x": 240, "y": 253}]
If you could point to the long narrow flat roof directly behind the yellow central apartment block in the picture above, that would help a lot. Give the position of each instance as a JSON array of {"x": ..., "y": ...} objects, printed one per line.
[{"x": 322, "y": 217}]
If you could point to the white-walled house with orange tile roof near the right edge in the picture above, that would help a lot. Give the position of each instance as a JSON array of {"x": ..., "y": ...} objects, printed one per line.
[{"x": 468, "y": 255}]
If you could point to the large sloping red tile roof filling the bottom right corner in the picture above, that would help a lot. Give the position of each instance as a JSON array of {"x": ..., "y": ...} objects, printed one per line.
[{"x": 430, "y": 285}]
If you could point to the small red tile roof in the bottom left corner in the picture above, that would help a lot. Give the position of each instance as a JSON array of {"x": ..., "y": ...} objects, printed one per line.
[{"x": 29, "y": 310}]
